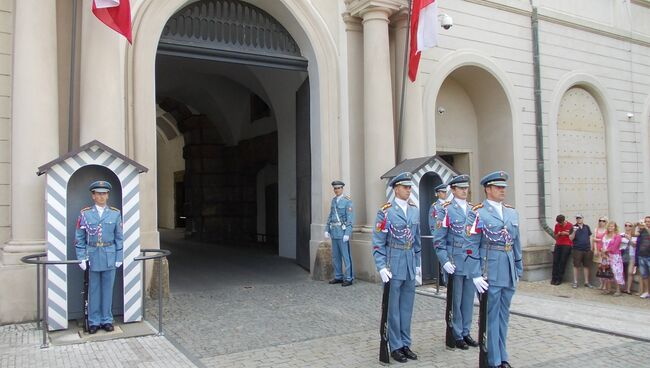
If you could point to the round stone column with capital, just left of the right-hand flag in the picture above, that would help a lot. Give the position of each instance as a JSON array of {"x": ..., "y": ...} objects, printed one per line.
[{"x": 379, "y": 137}]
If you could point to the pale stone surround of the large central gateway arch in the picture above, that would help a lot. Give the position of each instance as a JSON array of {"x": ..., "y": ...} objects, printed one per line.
[{"x": 306, "y": 27}]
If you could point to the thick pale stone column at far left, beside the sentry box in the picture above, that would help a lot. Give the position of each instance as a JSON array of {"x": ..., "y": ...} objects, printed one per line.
[{"x": 35, "y": 123}]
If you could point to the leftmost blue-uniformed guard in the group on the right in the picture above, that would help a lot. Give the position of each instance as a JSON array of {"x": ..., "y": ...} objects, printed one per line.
[{"x": 396, "y": 249}]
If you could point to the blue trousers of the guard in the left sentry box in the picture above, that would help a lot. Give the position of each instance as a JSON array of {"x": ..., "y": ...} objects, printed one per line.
[{"x": 100, "y": 298}]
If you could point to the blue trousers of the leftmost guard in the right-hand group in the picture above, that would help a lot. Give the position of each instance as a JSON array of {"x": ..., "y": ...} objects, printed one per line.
[{"x": 400, "y": 311}]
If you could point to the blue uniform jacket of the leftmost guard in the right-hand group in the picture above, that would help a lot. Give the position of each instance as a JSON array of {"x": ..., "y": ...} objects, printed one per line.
[{"x": 396, "y": 240}]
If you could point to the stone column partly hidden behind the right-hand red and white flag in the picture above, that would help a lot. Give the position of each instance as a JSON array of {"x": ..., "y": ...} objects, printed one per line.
[{"x": 412, "y": 142}]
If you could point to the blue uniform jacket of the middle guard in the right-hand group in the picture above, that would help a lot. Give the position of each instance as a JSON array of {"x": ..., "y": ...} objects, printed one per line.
[{"x": 450, "y": 238}]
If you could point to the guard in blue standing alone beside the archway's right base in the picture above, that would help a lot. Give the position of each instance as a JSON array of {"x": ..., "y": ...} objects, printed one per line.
[{"x": 339, "y": 228}]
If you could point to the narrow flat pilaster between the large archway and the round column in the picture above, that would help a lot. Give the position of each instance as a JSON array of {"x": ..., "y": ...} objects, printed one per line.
[{"x": 354, "y": 108}]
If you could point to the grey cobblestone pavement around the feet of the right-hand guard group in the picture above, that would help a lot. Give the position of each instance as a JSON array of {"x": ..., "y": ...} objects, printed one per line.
[{"x": 313, "y": 324}]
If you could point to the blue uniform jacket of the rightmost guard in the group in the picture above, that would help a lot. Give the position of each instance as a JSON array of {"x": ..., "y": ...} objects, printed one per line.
[{"x": 486, "y": 229}]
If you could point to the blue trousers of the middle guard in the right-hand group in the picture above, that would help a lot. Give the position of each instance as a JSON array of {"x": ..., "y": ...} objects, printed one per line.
[{"x": 463, "y": 306}]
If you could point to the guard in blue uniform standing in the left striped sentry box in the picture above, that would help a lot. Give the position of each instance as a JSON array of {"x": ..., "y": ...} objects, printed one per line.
[{"x": 98, "y": 242}]
